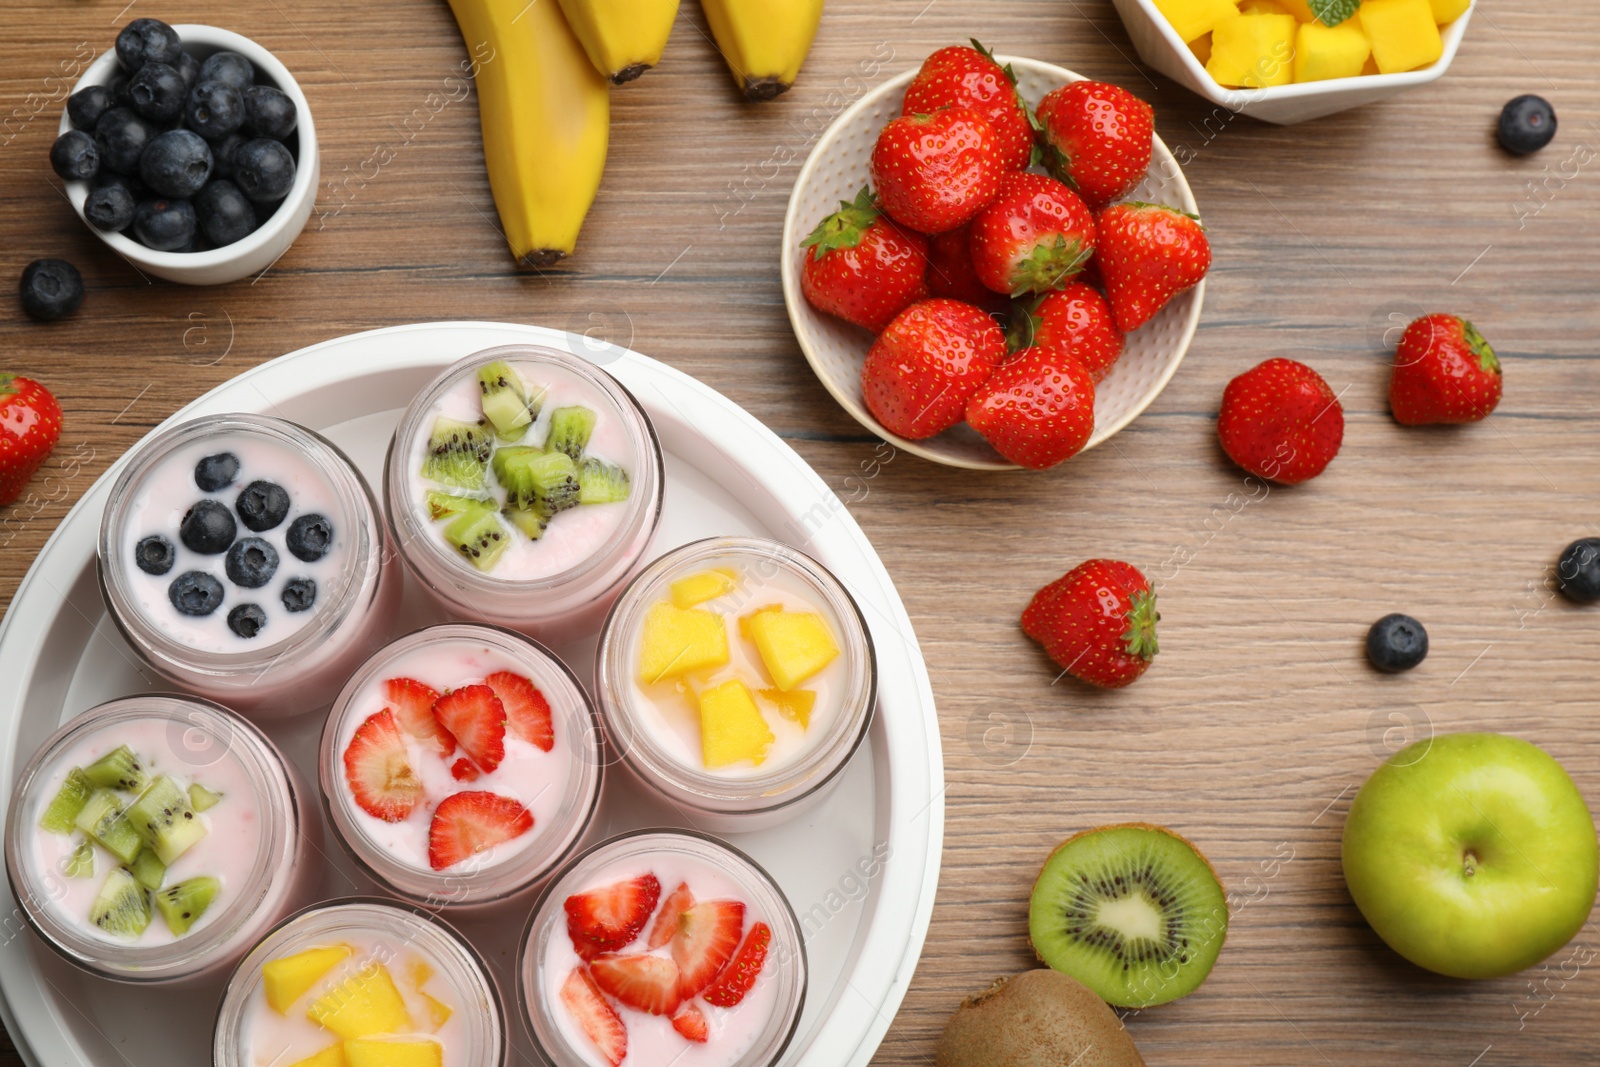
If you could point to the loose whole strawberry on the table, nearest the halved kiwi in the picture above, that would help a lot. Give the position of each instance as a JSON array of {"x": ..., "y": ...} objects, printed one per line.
[{"x": 1098, "y": 621}]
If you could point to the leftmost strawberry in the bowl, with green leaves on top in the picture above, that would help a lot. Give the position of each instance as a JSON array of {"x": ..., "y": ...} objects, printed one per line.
[{"x": 862, "y": 266}]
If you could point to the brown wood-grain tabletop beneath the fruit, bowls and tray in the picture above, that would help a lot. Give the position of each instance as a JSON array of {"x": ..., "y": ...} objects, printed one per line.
[{"x": 1260, "y": 717}]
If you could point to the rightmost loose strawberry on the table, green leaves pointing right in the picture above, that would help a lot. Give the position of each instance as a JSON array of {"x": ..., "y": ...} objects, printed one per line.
[{"x": 1446, "y": 372}]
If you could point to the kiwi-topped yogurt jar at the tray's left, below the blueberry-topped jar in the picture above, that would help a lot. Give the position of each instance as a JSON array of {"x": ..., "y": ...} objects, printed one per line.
[{"x": 154, "y": 839}]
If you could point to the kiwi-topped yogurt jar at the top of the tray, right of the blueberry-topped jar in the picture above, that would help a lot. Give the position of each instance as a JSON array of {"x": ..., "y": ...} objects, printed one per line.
[{"x": 524, "y": 487}]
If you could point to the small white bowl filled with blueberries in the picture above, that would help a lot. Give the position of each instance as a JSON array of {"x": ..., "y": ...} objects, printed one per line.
[{"x": 191, "y": 153}]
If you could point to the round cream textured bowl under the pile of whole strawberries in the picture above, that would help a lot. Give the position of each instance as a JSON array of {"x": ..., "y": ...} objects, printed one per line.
[{"x": 838, "y": 169}]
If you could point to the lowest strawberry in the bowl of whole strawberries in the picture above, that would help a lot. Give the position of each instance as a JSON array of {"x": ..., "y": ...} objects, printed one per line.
[{"x": 1038, "y": 409}]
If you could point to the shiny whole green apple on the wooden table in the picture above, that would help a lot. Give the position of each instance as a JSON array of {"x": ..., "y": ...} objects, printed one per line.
[{"x": 1473, "y": 855}]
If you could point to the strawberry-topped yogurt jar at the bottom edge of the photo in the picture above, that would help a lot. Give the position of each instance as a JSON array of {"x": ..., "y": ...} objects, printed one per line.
[{"x": 663, "y": 949}]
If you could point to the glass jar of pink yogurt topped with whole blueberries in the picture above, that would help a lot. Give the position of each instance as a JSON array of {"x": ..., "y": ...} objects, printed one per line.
[{"x": 244, "y": 559}]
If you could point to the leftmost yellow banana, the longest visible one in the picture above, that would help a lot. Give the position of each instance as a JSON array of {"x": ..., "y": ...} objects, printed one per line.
[{"x": 546, "y": 118}]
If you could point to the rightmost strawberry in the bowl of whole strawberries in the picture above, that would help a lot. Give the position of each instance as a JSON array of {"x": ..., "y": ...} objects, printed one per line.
[{"x": 1148, "y": 255}]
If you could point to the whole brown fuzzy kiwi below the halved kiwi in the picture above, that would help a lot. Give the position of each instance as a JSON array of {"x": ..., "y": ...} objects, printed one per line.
[{"x": 1036, "y": 1020}]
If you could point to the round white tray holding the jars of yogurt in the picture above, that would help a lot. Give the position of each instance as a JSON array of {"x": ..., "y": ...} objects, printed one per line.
[{"x": 862, "y": 871}]
